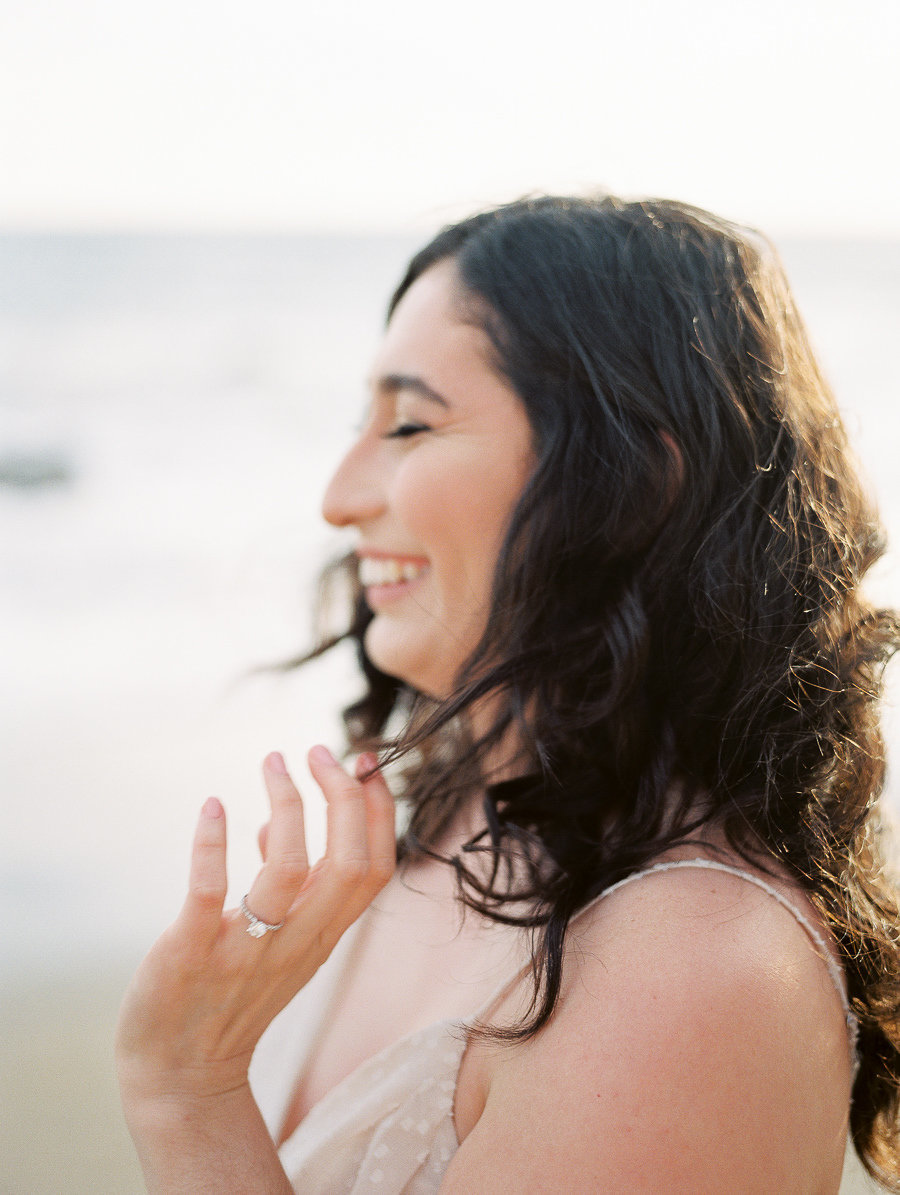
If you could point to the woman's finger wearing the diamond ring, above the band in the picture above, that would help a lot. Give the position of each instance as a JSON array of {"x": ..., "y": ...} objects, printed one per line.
[{"x": 286, "y": 861}]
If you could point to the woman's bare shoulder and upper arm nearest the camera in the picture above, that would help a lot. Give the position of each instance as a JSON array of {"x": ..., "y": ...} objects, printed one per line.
[{"x": 700, "y": 1045}]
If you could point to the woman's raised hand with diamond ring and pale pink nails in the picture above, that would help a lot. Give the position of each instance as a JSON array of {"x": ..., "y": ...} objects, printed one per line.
[{"x": 207, "y": 990}]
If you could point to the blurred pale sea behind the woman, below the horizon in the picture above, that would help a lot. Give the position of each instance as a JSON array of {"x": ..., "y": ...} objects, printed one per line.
[{"x": 179, "y": 403}]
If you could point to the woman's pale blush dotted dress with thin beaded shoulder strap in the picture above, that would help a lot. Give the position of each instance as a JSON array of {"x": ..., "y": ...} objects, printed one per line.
[{"x": 389, "y": 1126}]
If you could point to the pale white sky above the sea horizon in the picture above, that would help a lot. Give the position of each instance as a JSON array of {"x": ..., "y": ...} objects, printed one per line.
[{"x": 217, "y": 114}]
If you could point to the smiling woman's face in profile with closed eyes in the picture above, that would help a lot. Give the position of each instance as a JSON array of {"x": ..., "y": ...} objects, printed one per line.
[{"x": 431, "y": 486}]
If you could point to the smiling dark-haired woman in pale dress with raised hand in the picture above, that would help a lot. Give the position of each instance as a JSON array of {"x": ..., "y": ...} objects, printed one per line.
[{"x": 607, "y": 600}]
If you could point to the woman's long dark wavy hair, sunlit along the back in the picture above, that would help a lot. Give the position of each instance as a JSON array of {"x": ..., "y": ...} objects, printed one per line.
[{"x": 677, "y": 635}]
